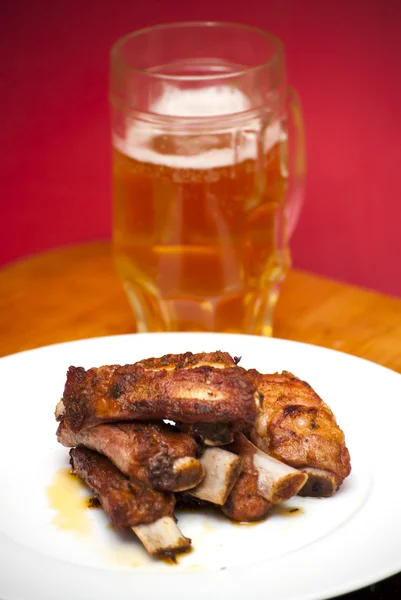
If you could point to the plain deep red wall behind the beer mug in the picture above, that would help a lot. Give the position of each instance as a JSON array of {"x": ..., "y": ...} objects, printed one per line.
[{"x": 344, "y": 57}]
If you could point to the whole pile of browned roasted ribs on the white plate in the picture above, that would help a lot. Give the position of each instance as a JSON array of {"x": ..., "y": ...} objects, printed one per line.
[{"x": 133, "y": 461}]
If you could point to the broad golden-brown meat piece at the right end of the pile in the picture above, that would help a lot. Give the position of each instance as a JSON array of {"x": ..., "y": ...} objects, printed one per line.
[{"x": 298, "y": 428}]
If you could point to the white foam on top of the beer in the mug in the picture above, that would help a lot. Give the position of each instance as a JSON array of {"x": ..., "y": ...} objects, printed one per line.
[{"x": 201, "y": 151}]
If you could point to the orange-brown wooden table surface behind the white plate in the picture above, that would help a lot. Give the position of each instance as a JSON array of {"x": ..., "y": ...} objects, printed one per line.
[{"x": 74, "y": 293}]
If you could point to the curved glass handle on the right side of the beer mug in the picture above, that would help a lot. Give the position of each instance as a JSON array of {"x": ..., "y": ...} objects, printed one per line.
[{"x": 296, "y": 160}]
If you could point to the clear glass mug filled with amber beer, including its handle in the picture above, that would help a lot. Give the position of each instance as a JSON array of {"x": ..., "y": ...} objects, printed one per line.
[{"x": 208, "y": 166}]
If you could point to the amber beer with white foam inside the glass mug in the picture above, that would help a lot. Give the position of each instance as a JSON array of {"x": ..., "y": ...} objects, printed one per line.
[{"x": 199, "y": 232}]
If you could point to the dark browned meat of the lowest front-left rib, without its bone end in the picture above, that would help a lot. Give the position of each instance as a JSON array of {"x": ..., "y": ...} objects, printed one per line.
[{"x": 126, "y": 502}]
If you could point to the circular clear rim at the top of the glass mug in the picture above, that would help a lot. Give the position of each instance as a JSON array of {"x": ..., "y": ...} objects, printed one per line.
[{"x": 278, "y": 44}]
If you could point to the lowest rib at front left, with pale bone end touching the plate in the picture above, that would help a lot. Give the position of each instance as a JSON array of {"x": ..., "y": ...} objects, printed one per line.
[{"x": 131, "y": 503}]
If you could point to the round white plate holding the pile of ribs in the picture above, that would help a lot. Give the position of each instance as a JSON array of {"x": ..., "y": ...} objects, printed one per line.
[{"x": 332, "y": 546}]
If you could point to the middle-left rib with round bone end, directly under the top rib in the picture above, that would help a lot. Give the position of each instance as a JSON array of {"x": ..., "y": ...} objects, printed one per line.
[{"x": 155, "y": 452}]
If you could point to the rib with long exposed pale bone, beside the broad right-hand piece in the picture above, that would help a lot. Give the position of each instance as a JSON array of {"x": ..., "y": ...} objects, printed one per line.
[{"x": 263, "y": 482}]
